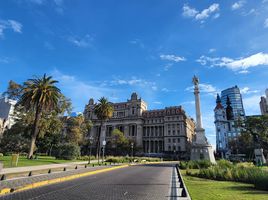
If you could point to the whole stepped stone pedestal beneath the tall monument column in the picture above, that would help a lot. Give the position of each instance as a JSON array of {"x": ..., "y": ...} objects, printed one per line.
[{"x": 201, "y": 149}]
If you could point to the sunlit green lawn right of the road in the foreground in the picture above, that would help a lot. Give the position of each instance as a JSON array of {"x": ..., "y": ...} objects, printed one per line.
[{"x": 201, "y": 189}]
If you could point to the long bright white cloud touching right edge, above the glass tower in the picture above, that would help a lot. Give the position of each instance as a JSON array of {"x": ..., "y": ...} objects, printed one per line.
[{"x": 241, "y": 64}]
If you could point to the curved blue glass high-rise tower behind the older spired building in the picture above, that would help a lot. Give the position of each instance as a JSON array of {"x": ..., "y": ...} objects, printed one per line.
[{"x": 236, "y": 100}]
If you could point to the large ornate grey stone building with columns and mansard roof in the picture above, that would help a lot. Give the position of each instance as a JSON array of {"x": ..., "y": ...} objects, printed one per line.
[{"x": 163, "y": 131}]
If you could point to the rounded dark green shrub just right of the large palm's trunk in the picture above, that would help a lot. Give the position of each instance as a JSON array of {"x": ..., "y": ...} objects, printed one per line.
[{"x": 67, "y": 151}]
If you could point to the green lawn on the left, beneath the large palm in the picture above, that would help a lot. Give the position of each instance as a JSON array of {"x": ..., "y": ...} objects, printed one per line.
[{"x": 42, "y": 160}]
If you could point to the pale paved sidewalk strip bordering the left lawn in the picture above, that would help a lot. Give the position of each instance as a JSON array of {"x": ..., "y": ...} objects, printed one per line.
[{"x": 42, "y": 167}]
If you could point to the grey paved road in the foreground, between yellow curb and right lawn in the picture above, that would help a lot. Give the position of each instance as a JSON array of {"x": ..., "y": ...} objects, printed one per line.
[{"x": 143, "y": 182}]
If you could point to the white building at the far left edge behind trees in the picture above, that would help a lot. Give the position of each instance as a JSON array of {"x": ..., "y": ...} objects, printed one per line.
[{"x": 7, "y": 119}]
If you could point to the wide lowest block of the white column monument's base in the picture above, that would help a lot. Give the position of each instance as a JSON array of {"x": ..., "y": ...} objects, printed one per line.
[{"x": 202, "y": 152}]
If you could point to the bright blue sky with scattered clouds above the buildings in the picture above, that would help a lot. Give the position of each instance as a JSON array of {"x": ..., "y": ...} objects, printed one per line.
[{"x": 114, "y": 47}]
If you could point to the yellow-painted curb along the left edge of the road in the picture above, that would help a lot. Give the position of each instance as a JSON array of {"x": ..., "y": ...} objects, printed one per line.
[{"x": 58, "y": 180}]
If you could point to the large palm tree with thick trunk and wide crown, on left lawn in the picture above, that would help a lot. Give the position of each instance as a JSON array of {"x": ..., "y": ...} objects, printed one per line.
[{"x": 39, "y": 95}]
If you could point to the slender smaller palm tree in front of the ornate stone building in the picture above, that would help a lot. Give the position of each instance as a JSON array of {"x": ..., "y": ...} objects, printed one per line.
[{"x": 104, "y": 111}]
